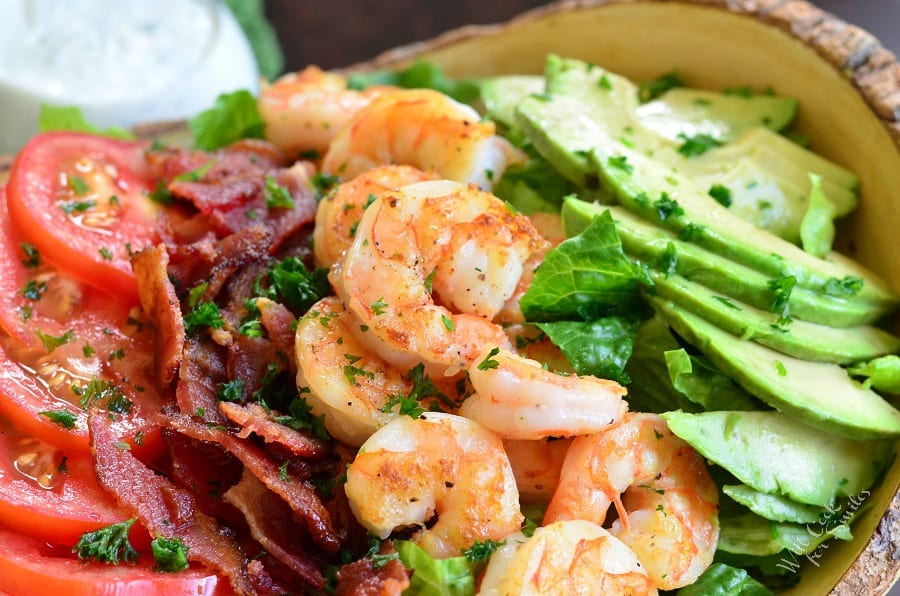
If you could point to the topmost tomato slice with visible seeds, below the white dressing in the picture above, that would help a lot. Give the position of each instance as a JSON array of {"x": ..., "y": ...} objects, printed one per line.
[{"x": 82, "y": 201}]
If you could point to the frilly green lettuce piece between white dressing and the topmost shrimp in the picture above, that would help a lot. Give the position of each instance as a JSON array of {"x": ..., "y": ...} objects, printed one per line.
[{"x": 234, "y": 116}]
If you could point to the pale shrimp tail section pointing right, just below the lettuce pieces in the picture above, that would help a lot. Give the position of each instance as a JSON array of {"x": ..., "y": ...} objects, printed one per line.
[{"x": 518, "y": 399}]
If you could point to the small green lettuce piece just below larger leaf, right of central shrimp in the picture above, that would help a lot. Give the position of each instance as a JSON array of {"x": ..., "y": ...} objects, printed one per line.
[{"x": 599, "y": 348}]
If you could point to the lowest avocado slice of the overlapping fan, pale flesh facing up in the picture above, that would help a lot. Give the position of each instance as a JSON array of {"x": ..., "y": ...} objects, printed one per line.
[{"x": 820, "y": 394}]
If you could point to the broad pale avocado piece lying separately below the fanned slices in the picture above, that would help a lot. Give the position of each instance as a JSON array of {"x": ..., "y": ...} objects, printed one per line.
[{"x": 777, "y": 454}]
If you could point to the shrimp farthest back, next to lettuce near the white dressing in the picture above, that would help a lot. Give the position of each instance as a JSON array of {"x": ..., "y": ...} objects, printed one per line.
[{"x": 303, "y": 111}]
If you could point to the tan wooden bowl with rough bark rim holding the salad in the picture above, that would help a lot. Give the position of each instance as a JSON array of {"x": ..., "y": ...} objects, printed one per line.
[{"x": 849, "y": 91}]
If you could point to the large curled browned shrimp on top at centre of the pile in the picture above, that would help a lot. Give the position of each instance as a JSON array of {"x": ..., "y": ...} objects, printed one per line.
[{"x": 439, "y": 236}]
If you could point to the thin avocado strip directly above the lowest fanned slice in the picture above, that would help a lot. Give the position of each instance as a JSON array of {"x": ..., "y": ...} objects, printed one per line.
[{"x": 800, "y": 339}]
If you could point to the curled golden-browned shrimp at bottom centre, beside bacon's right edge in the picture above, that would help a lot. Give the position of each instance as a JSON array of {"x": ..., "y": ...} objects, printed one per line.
[{"x": 440, "y": 464}]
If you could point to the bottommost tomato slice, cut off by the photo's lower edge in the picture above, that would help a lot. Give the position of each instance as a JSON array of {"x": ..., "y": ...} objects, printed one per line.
[{"x": 29, "y": 566}]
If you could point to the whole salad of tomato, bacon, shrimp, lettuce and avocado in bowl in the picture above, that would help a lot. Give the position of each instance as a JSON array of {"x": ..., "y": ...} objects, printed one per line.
[{"x": 583, "y": 332}]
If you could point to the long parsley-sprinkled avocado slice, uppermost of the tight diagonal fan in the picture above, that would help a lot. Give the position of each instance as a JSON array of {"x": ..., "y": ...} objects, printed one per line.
[{"x": 673, "y": 201}]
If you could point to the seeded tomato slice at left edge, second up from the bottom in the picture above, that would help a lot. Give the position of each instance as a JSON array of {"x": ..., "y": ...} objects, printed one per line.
[{"x": 52, "y": 496}]
